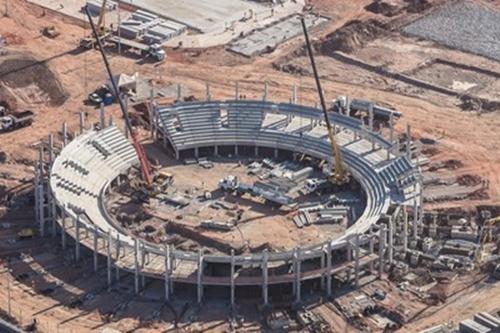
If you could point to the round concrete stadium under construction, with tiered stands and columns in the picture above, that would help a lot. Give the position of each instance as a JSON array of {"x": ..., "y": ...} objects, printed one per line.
[{"x": 240, "y": 203}]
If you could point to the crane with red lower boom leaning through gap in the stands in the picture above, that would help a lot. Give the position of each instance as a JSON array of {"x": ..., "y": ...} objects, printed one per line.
[{"x": 141, "y": 154}]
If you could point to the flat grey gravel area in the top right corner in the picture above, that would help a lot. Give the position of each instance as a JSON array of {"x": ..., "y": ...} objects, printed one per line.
[{"x": 464, "y": 25}]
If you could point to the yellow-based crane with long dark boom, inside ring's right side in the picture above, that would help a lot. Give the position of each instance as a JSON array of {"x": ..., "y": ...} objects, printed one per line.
[{"x": 339, "y": 175}]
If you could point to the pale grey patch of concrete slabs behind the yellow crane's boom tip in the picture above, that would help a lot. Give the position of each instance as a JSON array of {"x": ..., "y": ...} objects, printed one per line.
[{"x": 270, "y": 37}]
